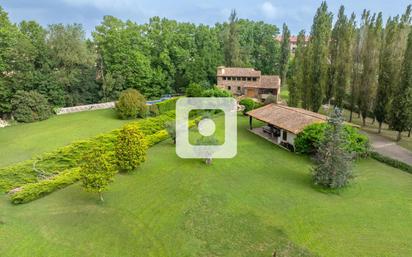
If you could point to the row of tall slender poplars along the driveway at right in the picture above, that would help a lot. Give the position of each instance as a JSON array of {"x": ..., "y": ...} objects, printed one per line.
[{"x": 364, "y": 68}]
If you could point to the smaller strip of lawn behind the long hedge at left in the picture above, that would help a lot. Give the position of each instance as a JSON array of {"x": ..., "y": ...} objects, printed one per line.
[{"x": 22, "y": 141}]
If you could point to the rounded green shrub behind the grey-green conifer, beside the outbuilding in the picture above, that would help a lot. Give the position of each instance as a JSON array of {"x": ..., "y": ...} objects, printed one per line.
[{"x": 306, "y": 142}]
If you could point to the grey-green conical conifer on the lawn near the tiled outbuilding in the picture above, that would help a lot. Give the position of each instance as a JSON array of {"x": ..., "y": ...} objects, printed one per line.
[{"x": 332, "y": 162}]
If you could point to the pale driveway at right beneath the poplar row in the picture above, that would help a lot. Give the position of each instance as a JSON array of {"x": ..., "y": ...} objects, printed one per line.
[{"x": 389, "y": 148}]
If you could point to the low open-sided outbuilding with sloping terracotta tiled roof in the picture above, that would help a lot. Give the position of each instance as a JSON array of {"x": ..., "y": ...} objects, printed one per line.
[{"x": 283, "y": 122}]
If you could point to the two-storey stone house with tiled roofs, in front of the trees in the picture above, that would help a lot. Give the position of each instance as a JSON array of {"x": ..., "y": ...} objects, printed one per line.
[{"x": 248, "y": 82}]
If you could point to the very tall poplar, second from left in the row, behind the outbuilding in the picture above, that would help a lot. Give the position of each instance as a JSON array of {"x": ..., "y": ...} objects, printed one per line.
[{"x": 318, "y": 55}]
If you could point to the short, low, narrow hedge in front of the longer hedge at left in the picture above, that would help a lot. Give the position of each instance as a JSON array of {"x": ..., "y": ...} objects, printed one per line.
[{"x": 33, "y": 191}]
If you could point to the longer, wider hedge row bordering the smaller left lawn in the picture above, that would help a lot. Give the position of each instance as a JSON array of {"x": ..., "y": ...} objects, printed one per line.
[{"x": 67, "y": 157}]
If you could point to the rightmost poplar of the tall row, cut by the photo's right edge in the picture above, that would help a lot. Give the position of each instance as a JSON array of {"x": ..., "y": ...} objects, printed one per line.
[{"x": 400, "y": 113}]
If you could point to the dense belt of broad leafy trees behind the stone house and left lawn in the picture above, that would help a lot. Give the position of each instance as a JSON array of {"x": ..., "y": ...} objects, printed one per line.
[{"x": 159, "y": 57}]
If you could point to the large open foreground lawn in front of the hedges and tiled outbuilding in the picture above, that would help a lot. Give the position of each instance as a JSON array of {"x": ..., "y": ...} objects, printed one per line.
[{"x": 259, "y": 201}]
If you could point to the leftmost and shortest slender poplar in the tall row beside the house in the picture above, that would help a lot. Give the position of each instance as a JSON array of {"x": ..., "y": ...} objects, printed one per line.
[{"x": 297, "y": 81}]
